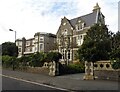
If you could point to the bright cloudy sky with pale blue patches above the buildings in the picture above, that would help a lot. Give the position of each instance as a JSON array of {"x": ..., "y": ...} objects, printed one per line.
[{"x": 27, "y": 17}]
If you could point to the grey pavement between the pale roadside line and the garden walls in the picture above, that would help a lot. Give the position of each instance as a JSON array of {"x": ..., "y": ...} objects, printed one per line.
[{"x": 72, "y": 82}]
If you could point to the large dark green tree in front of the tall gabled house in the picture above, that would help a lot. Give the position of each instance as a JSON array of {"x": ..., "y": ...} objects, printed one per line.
[{"x": 96, "y": 45}]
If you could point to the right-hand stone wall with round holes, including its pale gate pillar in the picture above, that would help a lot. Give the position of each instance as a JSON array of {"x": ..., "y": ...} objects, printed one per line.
[{"x": 101, "y": 70}]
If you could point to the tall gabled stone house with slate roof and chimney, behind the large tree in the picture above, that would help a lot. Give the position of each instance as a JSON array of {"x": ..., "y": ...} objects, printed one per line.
[{"x": 70, "y": 34}]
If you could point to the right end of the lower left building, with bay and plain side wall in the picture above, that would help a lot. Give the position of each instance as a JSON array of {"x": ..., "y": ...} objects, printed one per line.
[{"x": 44, "y": 42}]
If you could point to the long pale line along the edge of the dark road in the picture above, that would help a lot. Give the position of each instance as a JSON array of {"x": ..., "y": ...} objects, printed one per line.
[{"x": 34, "y": 83}]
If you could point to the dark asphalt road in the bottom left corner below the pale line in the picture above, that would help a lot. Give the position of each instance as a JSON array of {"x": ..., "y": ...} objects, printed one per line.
[{"x": 19, "y": 84}]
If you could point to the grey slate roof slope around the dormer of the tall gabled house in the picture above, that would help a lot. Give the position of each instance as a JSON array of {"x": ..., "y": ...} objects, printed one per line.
[{"x": 89, "y": 19}]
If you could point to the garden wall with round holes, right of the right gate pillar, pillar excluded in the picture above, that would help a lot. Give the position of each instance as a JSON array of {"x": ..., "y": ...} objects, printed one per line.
[{"x": 104, "y": 70}]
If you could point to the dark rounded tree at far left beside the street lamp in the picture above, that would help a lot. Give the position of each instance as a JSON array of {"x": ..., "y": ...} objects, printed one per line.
[{"x": 9, "y": 48}]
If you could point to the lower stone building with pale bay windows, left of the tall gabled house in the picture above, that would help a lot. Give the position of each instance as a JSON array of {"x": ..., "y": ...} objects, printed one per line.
[{"x": 42, "y": 42}]
